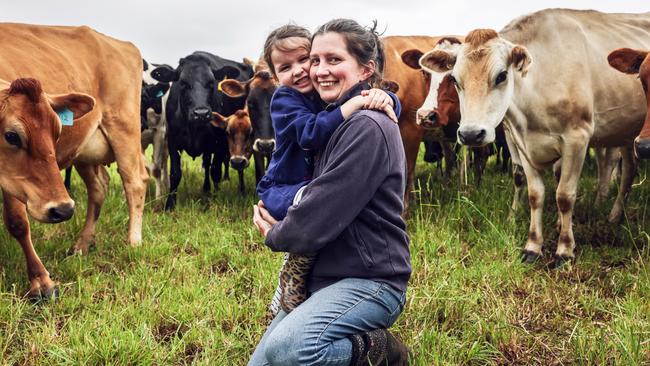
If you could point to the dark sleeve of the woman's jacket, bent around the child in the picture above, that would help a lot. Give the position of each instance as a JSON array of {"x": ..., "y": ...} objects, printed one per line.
[{"x": 356, "y": 167}]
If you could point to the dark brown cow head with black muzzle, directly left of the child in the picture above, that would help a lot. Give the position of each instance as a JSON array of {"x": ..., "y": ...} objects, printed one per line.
[{"x": 259, "y": 91}]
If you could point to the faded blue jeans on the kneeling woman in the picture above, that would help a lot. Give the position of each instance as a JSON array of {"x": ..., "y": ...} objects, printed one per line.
[{"x": 317, "y": 331}]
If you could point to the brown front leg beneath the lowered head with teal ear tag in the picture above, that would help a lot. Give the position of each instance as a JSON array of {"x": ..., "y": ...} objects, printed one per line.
[{"x": 16, "y": 222}]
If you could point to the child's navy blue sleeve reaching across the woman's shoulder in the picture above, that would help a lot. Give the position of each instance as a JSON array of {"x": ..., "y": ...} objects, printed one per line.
[{"x": 310, "y": 129}]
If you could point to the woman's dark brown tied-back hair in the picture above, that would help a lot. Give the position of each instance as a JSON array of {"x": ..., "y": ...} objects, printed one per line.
[{"x": 362, "y": 43}]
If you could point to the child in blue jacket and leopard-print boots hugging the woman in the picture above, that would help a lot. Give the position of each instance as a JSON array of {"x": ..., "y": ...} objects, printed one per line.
[{"x": 301, "y": 128}]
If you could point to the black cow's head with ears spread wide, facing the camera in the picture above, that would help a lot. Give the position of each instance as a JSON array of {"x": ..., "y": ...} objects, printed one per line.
[{"x": 195, "y": 80}]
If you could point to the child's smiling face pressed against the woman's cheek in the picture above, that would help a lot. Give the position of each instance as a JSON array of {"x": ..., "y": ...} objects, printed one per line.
[{"x": 292, "y": 68}]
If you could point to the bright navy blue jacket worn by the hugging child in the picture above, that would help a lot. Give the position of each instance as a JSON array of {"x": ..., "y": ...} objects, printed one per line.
[{"x": 302, "y": 127}]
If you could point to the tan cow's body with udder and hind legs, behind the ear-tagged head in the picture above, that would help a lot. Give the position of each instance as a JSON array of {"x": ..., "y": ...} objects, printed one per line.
[{"x": 81, "y": 59}]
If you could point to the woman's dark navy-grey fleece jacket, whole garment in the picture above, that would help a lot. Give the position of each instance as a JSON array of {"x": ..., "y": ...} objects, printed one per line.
[{"x": 351, "y": 212}]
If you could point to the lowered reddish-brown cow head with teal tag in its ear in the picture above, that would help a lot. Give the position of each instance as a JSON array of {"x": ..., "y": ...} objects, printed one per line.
[{"x": 30, "y": 128}]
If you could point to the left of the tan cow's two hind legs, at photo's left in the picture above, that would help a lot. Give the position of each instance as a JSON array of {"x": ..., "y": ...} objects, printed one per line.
[{"x": 96, "y": 179}]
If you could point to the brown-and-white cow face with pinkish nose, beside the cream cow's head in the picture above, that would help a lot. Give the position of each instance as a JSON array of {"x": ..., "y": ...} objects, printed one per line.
[{"x": 441, "y": 104}]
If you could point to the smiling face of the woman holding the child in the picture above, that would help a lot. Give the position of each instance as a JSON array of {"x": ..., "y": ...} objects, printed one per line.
[{"x": 333, "y": 70}]
